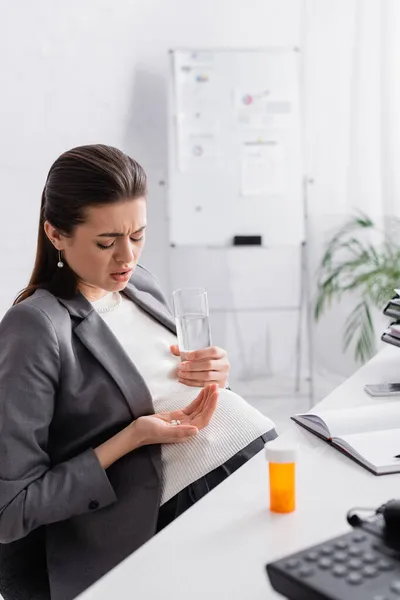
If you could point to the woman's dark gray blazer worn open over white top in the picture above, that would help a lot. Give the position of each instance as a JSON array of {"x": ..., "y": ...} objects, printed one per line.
[{"x": 66, "y": 386}]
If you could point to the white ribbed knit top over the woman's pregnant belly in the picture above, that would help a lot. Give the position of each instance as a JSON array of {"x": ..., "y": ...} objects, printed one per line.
[{"x": 234, "y": 424}]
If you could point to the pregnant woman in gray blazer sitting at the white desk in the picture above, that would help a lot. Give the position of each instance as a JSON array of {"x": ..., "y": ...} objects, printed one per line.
[{"x": 105, "y": 435}]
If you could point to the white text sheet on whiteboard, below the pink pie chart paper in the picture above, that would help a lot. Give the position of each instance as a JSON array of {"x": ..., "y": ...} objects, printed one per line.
[{"x": 262, "y": 168}]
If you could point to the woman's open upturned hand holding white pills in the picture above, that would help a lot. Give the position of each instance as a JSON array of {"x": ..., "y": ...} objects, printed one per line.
[{"x": 157, "y": 429}]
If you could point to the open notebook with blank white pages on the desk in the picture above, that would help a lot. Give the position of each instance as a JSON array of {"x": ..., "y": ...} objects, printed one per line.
[{"x": 370, "y": 435}]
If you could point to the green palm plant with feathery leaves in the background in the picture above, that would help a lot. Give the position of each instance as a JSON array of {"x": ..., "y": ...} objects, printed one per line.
[{"x": 353, "y": 264}]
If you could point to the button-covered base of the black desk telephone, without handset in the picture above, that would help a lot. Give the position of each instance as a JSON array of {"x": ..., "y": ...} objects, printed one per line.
[{"x": 354, "y": 566}]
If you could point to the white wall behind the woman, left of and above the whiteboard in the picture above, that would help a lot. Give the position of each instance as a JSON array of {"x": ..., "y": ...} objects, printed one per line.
[{"x": 89, "y": 71}]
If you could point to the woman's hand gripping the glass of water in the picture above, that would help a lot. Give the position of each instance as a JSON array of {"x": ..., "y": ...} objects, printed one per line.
[{"x": 205, "y": 366}]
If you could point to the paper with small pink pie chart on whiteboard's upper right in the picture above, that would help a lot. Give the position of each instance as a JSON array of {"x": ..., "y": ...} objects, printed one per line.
[{"x": 262, "y": 110}]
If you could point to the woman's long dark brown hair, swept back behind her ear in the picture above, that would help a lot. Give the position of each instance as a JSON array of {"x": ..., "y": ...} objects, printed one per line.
[{"x": 82, "y": 177}]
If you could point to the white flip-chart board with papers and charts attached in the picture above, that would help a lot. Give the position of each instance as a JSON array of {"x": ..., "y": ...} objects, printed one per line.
[{"x": 223, "y": 103}]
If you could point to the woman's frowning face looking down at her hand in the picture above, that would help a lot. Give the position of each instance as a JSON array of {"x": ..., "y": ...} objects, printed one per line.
[{"x": 104, "y": 250}]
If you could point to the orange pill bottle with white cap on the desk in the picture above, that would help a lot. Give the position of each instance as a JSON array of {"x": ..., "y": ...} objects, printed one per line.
[{"x": 282, "y": 477}]
